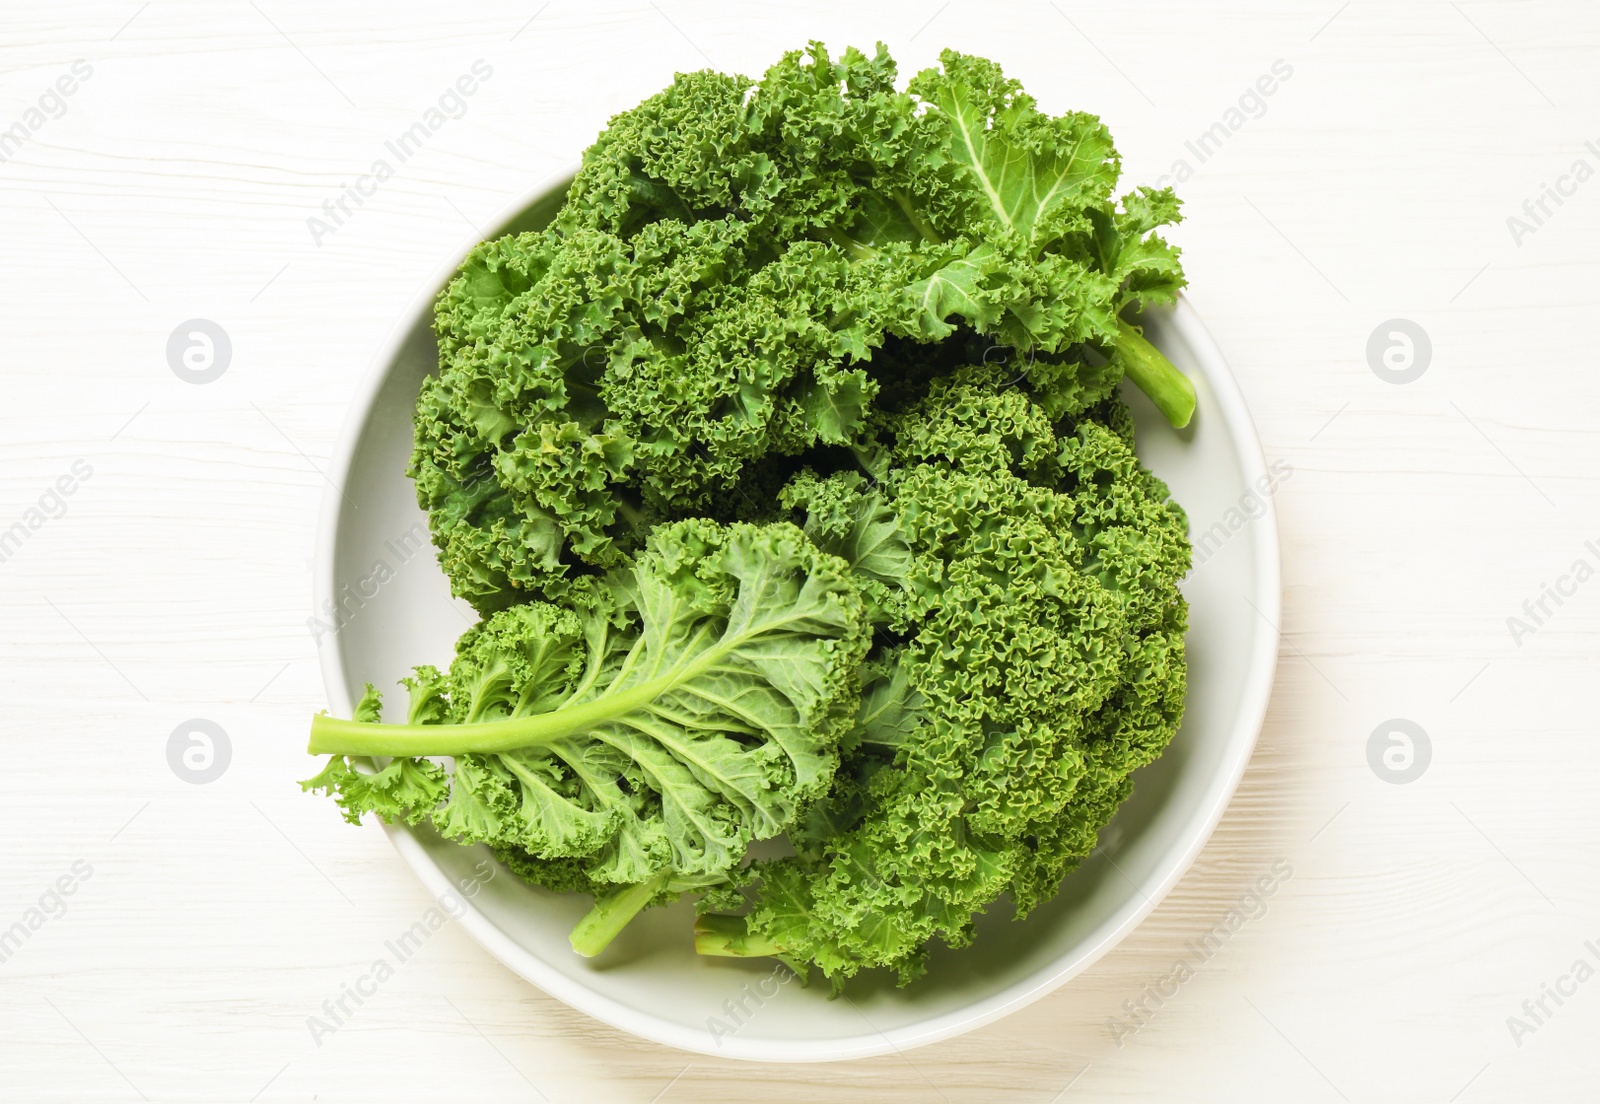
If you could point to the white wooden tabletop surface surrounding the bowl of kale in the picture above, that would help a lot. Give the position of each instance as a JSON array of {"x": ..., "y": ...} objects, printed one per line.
[{"x": 1377, "y": 185}]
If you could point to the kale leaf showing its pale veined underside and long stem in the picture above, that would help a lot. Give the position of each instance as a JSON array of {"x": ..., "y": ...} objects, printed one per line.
[{"x": 647, "y": 730}]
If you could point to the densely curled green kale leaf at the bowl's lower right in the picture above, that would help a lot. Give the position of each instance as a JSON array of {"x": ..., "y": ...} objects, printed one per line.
[{"x": 1033, "y": 660}]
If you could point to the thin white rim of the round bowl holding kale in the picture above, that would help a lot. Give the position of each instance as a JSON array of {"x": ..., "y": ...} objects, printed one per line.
[{"x": 1242, "y": 740}]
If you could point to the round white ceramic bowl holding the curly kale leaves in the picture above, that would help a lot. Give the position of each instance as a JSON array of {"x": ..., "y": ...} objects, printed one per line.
[{"x": 377, "y": 566}]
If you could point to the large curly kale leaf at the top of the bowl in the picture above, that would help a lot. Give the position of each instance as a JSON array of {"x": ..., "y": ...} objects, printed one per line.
[{"x": 724, "y": 286}]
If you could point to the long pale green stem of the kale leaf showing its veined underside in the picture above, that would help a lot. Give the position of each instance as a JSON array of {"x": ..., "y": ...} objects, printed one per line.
[{"x": 334, "y": 737}]
